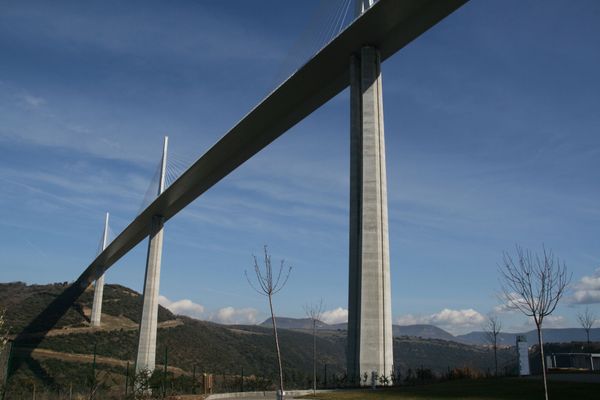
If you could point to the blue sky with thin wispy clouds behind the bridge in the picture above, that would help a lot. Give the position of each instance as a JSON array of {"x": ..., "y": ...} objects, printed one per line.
[{"x": 492, "y": 129}]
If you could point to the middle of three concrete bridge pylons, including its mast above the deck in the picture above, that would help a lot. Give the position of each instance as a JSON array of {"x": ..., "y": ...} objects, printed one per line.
[{"x": 146, "y": 356}]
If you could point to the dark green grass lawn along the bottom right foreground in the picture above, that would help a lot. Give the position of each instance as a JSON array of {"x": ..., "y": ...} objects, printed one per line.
[{"x": 480, "y": 389}]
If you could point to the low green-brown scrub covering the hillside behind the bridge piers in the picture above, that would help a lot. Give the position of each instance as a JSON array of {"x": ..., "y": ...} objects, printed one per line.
[{"x": 238, "y": 357}]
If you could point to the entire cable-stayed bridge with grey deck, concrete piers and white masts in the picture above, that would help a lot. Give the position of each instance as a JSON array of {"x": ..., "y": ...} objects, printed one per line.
[{"x": 352, "y": 58}]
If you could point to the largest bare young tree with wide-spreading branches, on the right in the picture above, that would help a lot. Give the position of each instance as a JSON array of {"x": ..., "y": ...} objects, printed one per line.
[{"x": 534, "y": 284}]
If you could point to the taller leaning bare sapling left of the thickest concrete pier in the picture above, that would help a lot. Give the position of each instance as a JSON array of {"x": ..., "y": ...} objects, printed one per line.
[{"x": 270, "y": 284}]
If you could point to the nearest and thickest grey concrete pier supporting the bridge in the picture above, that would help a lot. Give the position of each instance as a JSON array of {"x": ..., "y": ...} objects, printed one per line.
[{"x": 369, "y": 296}]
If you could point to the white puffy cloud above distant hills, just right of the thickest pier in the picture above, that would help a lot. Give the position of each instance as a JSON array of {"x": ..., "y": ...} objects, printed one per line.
[{"x": 454, "y": 321}]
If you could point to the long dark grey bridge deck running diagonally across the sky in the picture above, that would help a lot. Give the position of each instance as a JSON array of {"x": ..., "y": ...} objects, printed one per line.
[{"x": 389, "y": 25}]
